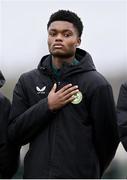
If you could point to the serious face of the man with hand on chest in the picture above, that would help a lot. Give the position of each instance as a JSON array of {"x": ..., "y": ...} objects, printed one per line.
[{"x": 62, "y": 39}]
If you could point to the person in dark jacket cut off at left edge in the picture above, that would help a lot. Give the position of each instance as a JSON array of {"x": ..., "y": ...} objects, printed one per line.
[{"x": 9, "y": 154}]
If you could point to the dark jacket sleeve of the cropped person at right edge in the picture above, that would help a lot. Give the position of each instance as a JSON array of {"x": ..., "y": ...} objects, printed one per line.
[{"x": 122, "y": 114}]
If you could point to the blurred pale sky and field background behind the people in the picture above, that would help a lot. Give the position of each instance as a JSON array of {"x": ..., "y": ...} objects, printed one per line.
[{"x": 23, "y": 41}]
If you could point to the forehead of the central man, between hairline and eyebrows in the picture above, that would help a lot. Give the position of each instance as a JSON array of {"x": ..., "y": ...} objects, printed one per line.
[{"x": 61, "y": 26}]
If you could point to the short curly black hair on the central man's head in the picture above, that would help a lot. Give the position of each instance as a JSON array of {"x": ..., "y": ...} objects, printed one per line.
[{"x": 66, "y": 15}]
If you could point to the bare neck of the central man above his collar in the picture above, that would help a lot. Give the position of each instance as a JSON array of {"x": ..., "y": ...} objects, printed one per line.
[{"x": 58, "y": 62}]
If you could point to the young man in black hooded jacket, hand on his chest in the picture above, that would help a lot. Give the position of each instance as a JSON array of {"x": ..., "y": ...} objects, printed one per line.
[{"x": 64, "y": 109}]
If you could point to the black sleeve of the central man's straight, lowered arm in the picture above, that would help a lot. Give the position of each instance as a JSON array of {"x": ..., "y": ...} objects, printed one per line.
[{"x": 105, "y": 130}]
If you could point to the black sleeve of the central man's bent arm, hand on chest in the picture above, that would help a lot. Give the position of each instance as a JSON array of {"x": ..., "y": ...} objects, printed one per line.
[{"x": 26, "y": 121}]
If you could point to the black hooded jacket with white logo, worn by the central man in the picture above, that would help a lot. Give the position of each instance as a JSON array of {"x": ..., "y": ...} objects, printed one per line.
[{"x": 77, "y": 141}]
